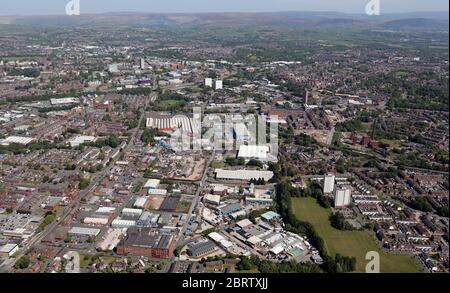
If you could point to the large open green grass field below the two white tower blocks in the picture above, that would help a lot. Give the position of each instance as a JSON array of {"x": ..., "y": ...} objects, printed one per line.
[{"x": 350, "y": 243}]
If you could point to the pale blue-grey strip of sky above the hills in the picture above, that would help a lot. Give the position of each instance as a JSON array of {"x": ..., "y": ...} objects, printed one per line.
[{"x": 51, "y": 7}]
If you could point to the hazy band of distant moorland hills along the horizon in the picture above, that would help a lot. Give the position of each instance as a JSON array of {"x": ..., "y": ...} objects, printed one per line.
[{"x": 422, "y": 20}]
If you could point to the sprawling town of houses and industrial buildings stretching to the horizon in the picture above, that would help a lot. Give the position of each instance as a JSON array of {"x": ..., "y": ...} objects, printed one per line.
[{"x": 91, "y": 111}]
